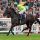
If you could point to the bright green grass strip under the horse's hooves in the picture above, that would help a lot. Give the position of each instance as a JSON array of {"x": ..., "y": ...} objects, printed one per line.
[{"x": 20, "y": 37}]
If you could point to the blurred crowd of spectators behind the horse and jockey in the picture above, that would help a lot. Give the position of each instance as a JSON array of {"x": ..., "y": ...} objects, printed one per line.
[{"x": 34, "y": 6}]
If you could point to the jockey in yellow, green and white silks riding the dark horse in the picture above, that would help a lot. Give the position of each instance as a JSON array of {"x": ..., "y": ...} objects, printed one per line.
[{"x": 22, "y": 9}]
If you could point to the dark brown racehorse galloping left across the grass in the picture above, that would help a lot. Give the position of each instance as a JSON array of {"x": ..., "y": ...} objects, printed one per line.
[{"x": 17, "y": 20}]
